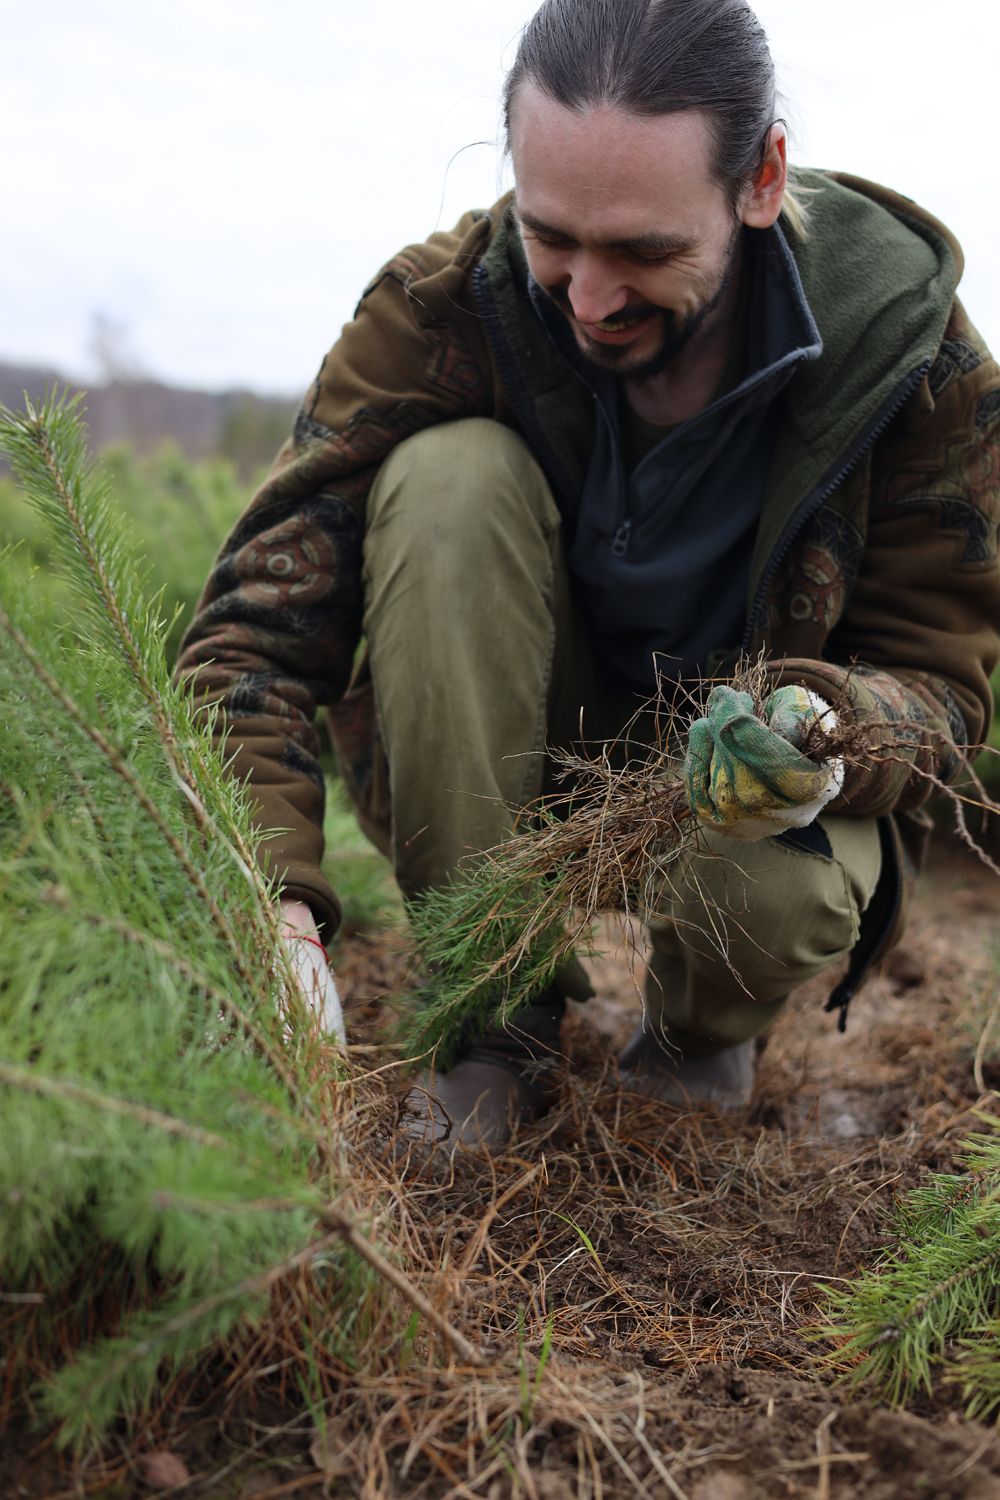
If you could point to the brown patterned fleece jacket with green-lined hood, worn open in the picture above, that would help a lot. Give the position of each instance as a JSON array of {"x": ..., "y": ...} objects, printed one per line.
[{"x": 875, "y": 575}]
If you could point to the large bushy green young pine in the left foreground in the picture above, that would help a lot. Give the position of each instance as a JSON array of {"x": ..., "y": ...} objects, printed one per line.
[{"x": 161, "y": 1102}]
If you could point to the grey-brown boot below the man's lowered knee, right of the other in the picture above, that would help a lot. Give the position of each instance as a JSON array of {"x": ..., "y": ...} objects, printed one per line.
[{"x": 654, "y": 1067}]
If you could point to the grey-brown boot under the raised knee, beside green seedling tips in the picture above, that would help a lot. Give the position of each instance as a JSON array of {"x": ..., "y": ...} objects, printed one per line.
[{"x": 501, "y": 1081}]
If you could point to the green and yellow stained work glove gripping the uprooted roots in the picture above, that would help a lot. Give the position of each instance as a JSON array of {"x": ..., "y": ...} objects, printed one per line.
[{"x": 747, "y": 776}]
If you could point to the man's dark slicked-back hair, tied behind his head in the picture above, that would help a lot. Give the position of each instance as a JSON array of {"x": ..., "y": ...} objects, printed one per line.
[{"x": 657, "y": 58}]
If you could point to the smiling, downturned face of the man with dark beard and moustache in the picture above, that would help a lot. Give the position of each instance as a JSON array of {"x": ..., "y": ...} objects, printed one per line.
[{"x": 624, "y": 227}]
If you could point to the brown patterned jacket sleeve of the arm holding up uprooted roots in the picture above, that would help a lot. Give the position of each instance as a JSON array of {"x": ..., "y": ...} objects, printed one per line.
[{"x": 920, "y": 638}]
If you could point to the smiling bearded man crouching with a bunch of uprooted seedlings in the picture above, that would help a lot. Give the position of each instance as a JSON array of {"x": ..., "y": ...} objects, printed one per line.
[{"x": 642, "y": 418}]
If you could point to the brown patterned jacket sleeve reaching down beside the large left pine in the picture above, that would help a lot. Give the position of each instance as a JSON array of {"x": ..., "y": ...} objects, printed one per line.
[{"x": 280, "y": 622}]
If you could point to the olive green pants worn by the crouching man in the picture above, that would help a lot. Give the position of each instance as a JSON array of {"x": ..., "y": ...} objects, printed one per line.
[{"x": 481, "y": 662}]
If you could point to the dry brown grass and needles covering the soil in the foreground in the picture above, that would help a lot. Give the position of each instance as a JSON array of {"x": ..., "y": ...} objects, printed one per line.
[{"x": 639, "y": 1282}]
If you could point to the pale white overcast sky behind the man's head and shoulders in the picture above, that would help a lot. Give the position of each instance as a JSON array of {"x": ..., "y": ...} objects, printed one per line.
[{"x": 221, "y": 179}]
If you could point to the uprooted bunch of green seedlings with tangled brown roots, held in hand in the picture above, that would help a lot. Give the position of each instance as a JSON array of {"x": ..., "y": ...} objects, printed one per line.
[{"x": 612, "y": 838}]
